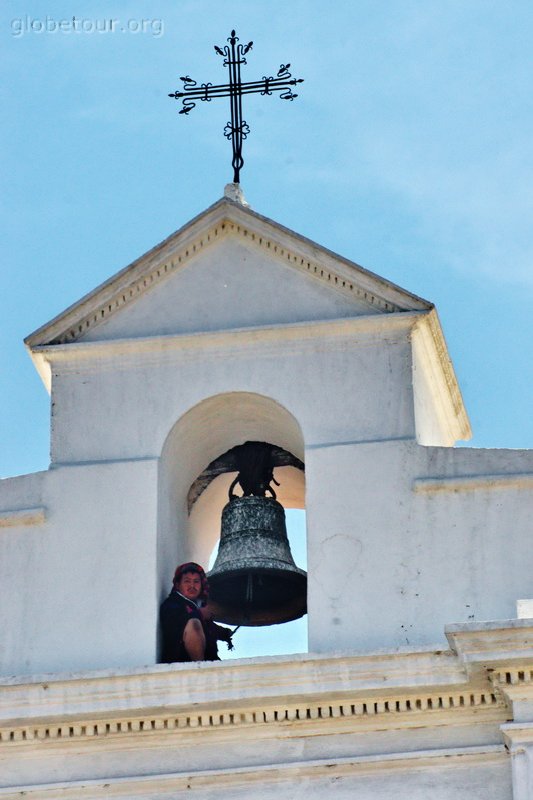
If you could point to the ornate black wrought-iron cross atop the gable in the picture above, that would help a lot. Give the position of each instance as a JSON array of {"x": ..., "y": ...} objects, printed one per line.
[{"x": 237, "y": 129}]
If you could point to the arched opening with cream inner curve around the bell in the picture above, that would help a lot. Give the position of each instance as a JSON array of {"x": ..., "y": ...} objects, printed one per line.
[{"x": 190, "y": 504}]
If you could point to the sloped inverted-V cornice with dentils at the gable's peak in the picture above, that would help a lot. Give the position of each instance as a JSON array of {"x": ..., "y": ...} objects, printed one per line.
[{"x": 224, "y": 218}]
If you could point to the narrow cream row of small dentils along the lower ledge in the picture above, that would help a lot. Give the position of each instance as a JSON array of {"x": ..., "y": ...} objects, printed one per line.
[{"x": 387, "y": 711}]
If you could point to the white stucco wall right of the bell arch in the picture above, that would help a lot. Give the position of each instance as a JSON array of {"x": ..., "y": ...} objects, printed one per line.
[{"x": 389, "y": 564}]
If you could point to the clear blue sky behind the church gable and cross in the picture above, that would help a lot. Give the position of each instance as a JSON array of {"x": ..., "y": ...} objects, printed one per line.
[{"x": 409, "y": 150}]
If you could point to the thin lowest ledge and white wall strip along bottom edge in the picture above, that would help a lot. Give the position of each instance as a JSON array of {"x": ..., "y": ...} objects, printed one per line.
[{"x": 367, "y": 779}]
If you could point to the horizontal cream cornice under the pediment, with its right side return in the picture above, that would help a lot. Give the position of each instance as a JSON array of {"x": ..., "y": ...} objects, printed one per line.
[{"x": 266, "y": 340}]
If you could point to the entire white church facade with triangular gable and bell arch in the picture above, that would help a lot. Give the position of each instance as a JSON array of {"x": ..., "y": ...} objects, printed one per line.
[{"x": 419, "y": 677}]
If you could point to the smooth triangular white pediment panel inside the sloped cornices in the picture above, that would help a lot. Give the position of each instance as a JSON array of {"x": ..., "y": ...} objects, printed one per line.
[{"x": 233, "y": 286}]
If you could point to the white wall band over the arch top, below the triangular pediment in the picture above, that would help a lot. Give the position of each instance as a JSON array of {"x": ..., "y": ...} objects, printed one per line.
[{"x": 342, "y": 384}]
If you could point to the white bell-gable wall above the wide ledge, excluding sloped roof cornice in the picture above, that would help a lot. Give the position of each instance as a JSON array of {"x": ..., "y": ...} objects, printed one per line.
[{"x": 144, "y": 401}]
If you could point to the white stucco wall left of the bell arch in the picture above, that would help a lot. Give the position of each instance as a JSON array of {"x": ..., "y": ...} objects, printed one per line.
[{"x": 78, "y": 590}]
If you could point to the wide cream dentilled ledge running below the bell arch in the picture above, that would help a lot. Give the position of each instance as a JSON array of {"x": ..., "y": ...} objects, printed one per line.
[{"x": 486, "y": 677}]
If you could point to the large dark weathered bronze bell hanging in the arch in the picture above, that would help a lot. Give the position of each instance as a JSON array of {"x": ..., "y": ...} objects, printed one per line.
[{"x": 254, "y": 580}]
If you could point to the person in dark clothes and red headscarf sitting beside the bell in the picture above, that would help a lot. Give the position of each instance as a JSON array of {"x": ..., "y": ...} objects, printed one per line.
[{"x": 188, "y": 630}]
